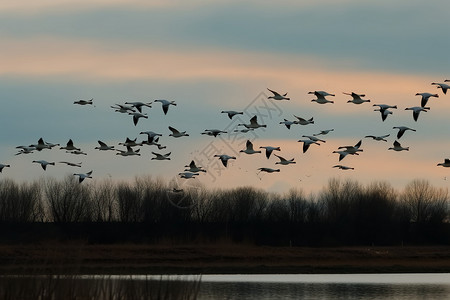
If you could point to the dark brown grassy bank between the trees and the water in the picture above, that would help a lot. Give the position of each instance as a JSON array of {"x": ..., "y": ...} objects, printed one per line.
[{"x": 128, "y": 259}]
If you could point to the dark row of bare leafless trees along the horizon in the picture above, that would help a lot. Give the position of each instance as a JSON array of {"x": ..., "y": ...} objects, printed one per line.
[{"x": 149, "y": 210}]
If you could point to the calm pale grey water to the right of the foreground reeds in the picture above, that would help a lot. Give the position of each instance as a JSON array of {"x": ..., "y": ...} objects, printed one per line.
[{"x": 326, "y": 286}]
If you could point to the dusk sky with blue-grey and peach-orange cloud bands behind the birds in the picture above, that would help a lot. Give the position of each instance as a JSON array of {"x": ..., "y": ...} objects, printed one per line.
[{"x": 210, "y": 56}]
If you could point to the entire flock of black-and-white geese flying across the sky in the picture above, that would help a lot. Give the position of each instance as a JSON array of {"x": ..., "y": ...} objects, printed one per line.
[{"x": 135, "y": 109}]
